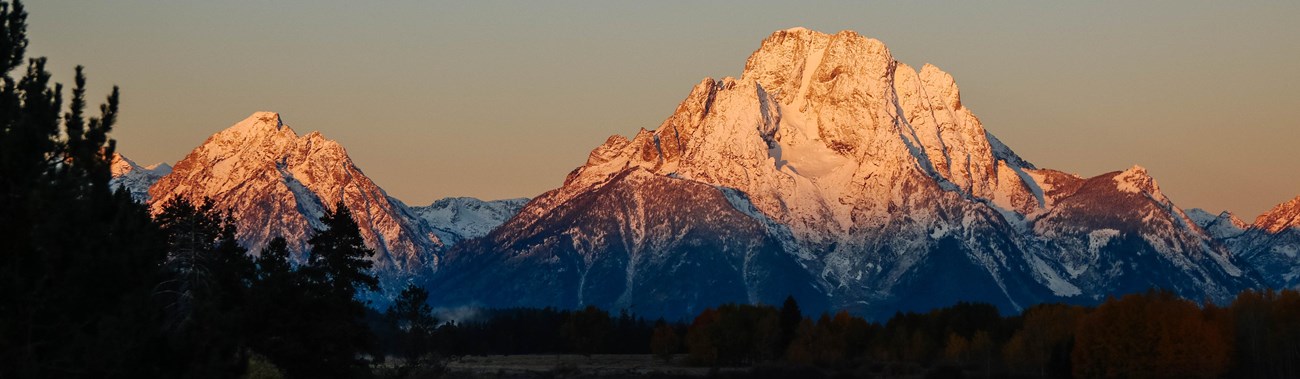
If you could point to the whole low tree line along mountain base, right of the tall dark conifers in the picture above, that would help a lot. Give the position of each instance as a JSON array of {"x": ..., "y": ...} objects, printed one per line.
[{"x": 1155, "y": 334}]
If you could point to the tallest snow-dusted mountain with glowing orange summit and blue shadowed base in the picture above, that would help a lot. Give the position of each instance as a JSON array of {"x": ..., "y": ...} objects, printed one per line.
[{"x": 873, "y": 178}]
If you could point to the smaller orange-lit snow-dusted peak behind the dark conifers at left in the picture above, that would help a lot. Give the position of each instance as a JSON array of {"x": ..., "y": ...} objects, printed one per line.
[{"x": 278, "y": 184}]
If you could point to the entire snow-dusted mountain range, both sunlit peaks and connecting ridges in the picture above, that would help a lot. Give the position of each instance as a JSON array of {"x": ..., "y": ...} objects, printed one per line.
[{"x": 829, "y": 172}]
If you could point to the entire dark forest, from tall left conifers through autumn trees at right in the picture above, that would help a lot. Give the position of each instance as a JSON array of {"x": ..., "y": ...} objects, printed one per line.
[{"x": 96, "y": 286}]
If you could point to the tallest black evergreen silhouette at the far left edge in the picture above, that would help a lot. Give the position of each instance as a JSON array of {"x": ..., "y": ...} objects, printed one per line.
[{"x": 77, "y": 260}]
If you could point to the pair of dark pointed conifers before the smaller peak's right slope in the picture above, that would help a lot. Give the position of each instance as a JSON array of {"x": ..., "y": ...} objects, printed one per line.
[{"x": 309, "y": 321}]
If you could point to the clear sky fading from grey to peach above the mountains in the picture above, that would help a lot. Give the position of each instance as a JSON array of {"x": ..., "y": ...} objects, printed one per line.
[{"x": 502, "y": 99}]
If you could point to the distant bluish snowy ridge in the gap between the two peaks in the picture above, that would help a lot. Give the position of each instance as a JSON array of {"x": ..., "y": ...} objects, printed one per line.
[{"x": 461, "y": 219}]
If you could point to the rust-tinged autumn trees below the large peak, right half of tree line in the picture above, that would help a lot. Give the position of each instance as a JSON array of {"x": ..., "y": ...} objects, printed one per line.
[{"x": 1141, "y": 336}]
